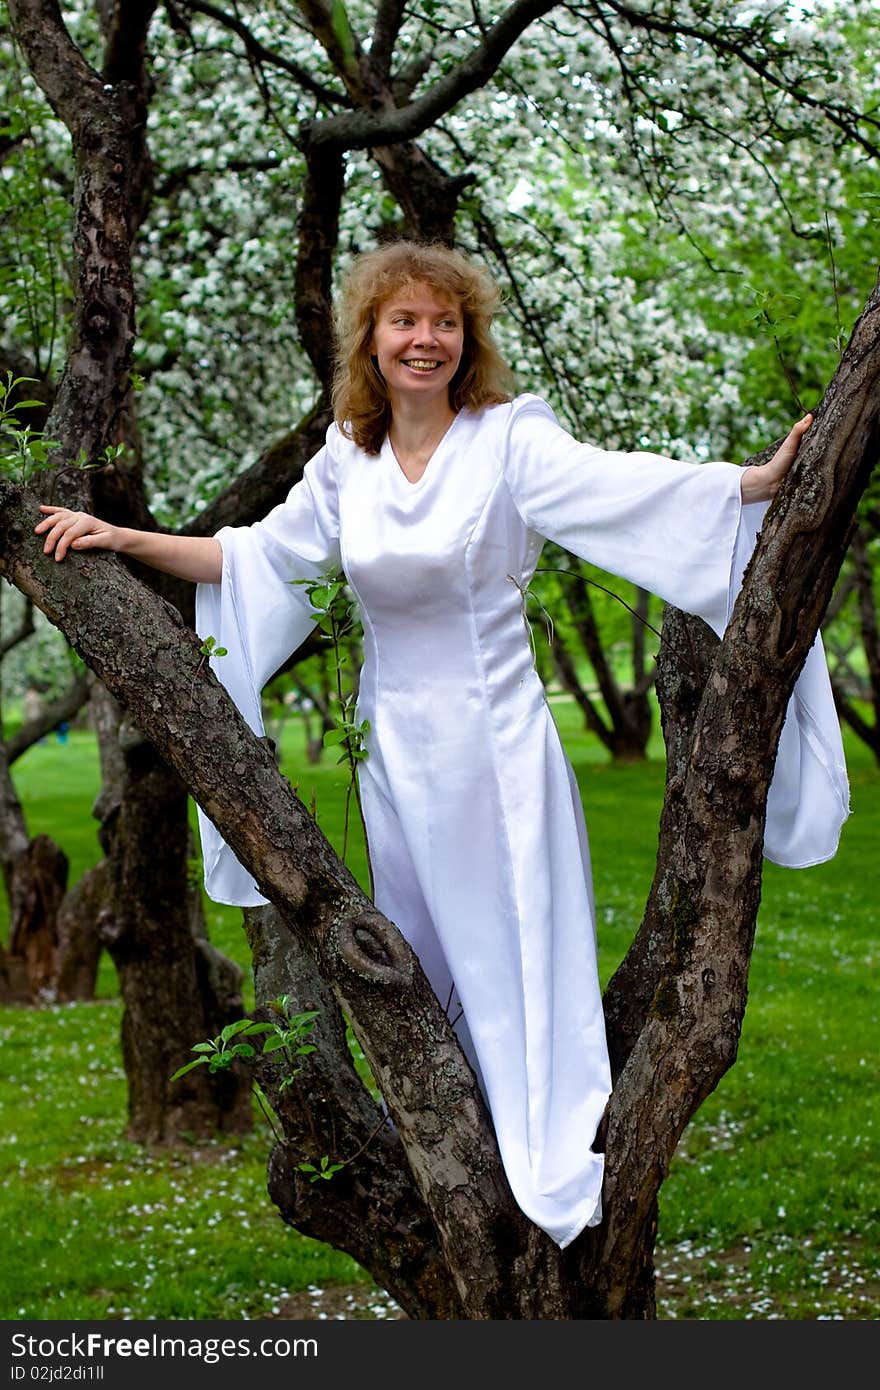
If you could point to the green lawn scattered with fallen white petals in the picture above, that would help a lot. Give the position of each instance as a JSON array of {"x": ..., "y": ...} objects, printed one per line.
[{"x": 772, "y": 1204}]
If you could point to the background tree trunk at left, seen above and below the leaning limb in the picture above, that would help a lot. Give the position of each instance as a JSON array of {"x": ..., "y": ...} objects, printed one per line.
[{"x": 174, "y": 986}]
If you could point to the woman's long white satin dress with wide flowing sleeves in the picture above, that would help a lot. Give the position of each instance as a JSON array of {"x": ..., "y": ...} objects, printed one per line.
[{"x": 473, "y": 815}]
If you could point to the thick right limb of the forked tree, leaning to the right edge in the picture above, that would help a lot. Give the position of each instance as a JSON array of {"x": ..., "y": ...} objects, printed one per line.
[{"x": 711, "y": 888}]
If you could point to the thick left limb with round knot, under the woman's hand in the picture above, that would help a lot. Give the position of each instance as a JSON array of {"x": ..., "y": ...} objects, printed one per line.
[{"x": 154, "y": 667}]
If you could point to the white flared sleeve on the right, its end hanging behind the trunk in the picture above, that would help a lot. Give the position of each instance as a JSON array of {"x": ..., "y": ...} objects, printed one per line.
[{"x": 682, "y": 532}]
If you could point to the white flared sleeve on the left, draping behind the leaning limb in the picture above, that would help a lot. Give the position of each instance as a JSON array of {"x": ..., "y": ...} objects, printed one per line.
[{"x": 261, "y": 615}]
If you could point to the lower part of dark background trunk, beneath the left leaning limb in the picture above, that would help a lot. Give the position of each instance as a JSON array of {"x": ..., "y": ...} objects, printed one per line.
[{"x": 176, "y": 989}]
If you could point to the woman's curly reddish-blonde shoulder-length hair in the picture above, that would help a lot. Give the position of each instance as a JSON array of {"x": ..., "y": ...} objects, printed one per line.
[{"x": 361, "y": 402}]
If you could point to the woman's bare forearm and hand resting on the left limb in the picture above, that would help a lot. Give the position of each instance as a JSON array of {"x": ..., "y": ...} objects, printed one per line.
[{"x": 193, "y": 558}]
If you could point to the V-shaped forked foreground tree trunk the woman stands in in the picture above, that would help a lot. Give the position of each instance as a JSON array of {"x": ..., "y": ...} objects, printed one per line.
[{"x": 437, "y": 1175}]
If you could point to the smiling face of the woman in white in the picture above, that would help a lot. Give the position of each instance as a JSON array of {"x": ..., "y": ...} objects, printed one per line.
[{"x": 418, "y": 340}]
